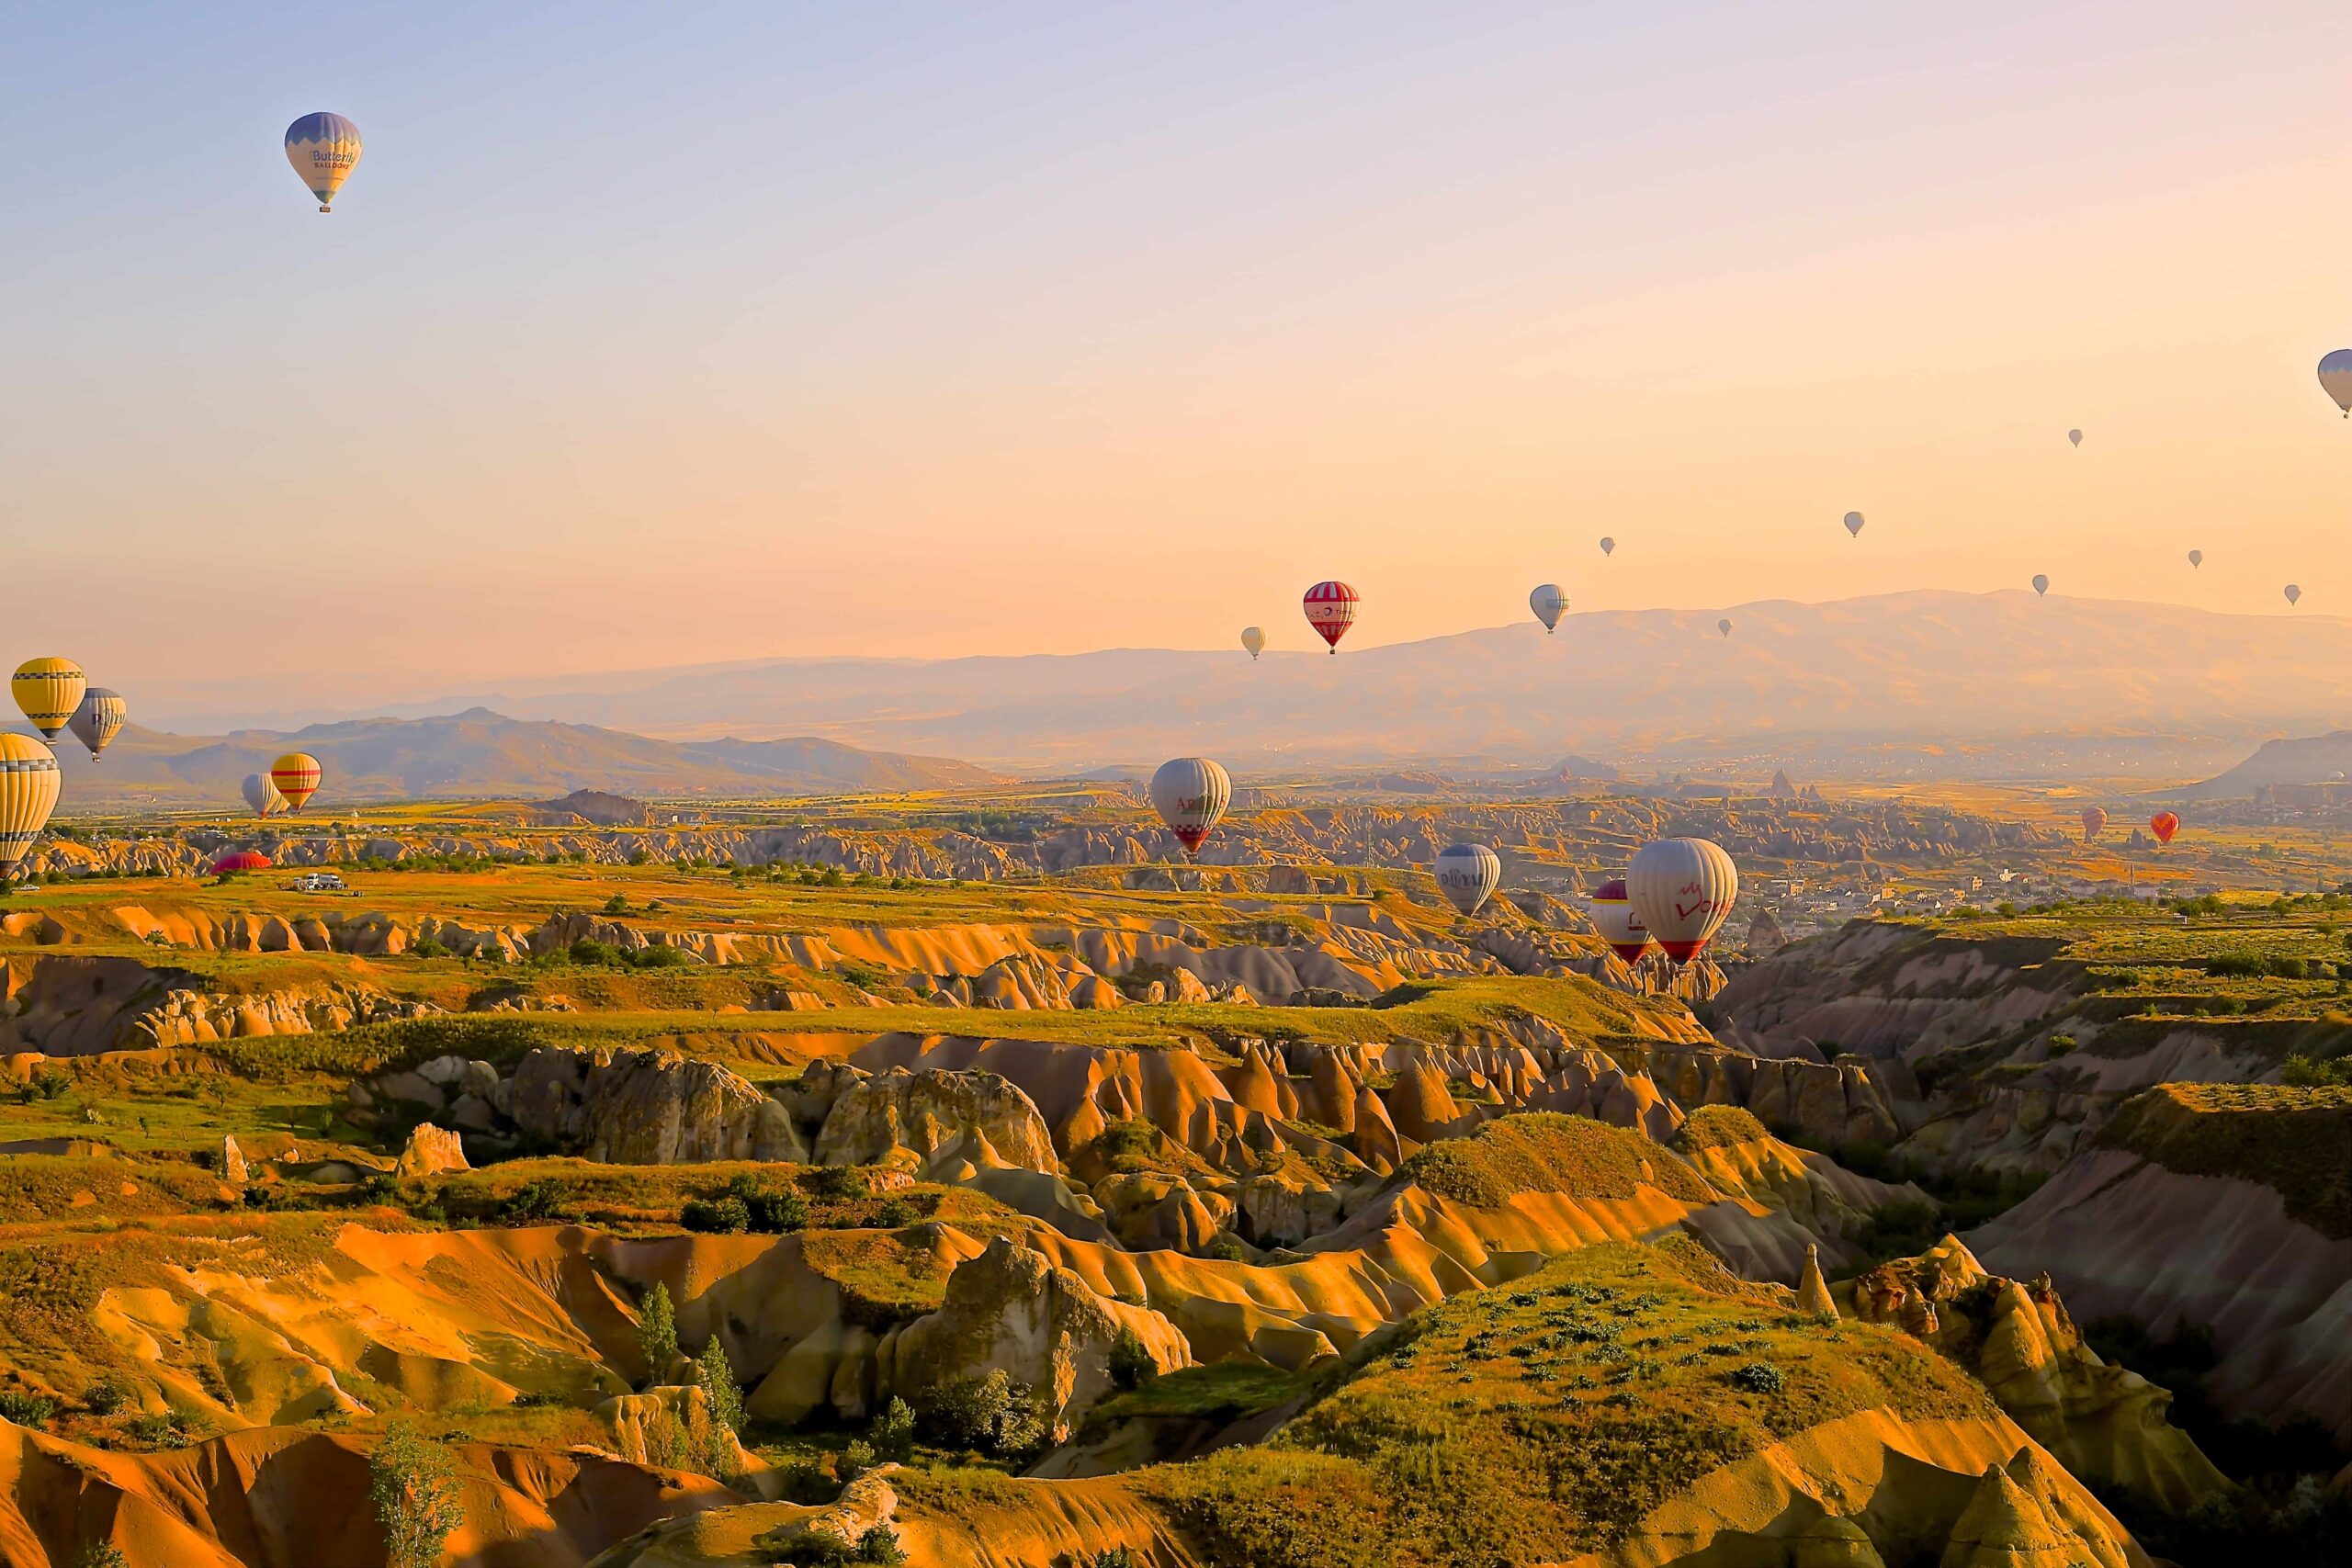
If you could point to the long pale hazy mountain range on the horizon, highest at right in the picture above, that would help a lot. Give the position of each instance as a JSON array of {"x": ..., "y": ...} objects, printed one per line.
[{"x": 1932, "y": 671}]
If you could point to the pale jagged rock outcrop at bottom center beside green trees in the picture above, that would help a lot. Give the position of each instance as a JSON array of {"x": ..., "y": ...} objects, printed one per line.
[{"x": 1015, "y": 1311}]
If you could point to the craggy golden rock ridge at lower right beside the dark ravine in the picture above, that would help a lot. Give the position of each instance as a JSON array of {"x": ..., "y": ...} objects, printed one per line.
[{"x": 2099, "y": 1421}]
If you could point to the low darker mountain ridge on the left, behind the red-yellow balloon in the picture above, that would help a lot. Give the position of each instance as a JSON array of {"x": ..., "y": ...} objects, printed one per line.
[{"x": 481, "y": 753}]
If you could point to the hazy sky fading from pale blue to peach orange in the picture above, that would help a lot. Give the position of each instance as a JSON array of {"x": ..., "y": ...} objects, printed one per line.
[{"x": 657, "y": 335}]
